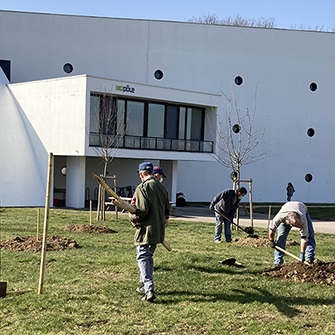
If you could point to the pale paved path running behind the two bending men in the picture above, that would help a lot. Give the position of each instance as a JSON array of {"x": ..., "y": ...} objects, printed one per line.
[{"x": 203, "y": 214}]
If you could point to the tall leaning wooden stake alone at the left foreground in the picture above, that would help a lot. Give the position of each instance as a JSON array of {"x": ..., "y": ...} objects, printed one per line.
[{"x": 46, "y": 222}]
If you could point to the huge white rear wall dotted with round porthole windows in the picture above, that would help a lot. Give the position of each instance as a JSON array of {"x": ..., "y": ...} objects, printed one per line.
[{"x": 280, "y": 64}]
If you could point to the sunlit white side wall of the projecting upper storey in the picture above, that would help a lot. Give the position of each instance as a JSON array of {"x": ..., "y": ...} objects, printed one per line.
[{"x": 56, "y": 111}]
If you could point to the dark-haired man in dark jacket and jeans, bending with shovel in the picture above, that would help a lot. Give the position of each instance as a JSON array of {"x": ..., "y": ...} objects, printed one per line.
[{"x": 226, "y": 203}]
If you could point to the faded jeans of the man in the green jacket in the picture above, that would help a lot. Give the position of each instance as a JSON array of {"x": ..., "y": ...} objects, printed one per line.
[{"x": 146, "y": 265}]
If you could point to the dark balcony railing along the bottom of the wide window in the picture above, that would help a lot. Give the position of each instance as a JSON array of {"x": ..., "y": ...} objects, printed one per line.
[{"x": 154, "y": 143}]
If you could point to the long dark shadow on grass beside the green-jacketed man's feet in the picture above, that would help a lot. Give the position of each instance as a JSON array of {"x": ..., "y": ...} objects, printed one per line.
[{"x": 284, "y": 305}]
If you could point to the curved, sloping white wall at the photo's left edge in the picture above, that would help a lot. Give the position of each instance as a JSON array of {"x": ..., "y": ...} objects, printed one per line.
[{"x": 22, "y": 182}]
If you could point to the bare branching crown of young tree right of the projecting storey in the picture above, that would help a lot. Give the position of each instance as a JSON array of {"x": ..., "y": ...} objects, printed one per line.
[{"x": 239, "y": 139}]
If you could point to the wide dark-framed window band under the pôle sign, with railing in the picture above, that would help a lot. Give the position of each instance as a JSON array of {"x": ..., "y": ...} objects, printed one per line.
[{"x": 149, "y": 125}]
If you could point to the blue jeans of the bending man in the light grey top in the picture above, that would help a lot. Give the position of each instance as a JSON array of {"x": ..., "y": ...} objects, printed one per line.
[{"x": 283, "y": 231}]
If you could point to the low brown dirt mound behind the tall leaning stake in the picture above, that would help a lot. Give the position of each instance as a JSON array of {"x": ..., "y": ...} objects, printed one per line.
[{"x": 29, "y": 243}]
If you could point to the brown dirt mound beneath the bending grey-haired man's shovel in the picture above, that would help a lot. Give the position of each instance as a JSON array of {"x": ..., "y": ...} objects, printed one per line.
[{"x": 318, "y": 273}]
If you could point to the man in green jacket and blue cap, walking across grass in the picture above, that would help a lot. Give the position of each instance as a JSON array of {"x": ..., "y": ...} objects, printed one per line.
[{"x": 150, "y": 220}]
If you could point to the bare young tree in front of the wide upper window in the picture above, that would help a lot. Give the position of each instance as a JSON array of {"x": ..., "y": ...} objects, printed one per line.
[{"x": 107, "y": 131}]
